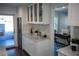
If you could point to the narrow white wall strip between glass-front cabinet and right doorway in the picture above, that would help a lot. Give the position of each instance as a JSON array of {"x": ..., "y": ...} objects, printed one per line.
[{"x": 52, "y": 13}]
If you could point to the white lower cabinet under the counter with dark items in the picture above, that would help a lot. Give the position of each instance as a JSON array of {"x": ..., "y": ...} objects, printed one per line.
[{"x": 37, "y": 48}]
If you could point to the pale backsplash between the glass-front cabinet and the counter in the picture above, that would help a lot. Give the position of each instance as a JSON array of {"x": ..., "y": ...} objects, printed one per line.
[{"x": 44, "y": 29}]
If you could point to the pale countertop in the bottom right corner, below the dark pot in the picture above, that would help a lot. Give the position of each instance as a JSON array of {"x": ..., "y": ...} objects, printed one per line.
[{"x": 68, "y": 52}]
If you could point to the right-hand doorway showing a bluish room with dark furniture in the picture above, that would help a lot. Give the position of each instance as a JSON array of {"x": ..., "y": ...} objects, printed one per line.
[{"x": 61, "y": 28}]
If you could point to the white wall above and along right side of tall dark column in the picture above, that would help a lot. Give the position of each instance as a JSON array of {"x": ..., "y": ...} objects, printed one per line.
[{"x": 23, "y": 13}]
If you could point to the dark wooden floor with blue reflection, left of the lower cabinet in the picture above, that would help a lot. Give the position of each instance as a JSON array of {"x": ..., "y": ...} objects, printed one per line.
[{"x": 16, "y": 52}]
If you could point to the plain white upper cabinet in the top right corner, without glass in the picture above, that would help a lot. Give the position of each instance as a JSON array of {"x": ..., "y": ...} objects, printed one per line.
[{"x": 73, "y": 14}]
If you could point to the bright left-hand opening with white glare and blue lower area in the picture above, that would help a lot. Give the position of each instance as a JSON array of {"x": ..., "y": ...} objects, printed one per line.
[{"x": 6, "y": 31}]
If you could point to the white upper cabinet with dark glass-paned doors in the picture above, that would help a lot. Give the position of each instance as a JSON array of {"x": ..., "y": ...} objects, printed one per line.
[{"x": 39, "y": 13}]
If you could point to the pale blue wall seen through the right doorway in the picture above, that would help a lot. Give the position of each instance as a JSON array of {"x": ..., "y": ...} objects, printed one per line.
[{"x": 62, "y": 21}]
